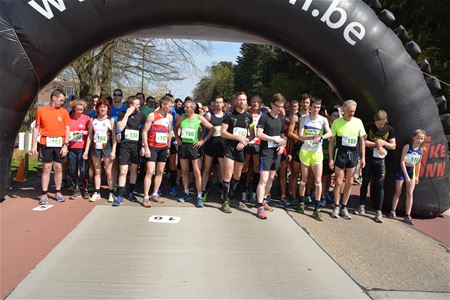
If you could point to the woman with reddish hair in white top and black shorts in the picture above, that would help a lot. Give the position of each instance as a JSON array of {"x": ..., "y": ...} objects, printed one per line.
[{"x": 101, "y": 134}]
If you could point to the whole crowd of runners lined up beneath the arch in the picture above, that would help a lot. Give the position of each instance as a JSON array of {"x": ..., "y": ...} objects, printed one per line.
[{"x": 247, "y": 146}]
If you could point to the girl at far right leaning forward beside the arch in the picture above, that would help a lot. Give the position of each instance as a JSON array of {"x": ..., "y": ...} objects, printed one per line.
[{"x": 408, "y": 171}]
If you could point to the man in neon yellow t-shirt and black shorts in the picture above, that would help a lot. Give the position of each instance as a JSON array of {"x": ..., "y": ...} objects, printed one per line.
[{"x": 348, "y": 134}]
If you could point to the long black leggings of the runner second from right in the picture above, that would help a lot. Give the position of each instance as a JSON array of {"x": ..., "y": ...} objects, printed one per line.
[{"x": 374, "y": 168}]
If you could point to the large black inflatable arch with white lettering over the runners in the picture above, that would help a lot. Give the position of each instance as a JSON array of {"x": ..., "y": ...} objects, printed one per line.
[{"x": 347, "y": 42}]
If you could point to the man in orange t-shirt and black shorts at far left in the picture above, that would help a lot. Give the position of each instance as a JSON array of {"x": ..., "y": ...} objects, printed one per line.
[{"x": 53, "y": 124}]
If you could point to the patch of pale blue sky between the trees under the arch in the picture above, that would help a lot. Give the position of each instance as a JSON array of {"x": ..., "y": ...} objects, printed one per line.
[{"x": 217, "y": 52}]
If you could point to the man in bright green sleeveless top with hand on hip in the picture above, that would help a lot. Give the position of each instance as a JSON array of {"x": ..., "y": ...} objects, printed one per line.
[{"x": 190, "y": 148}]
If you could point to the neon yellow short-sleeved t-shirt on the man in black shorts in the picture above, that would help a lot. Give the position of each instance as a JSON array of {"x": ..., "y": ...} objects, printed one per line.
[{"x": 347, "y": 132}]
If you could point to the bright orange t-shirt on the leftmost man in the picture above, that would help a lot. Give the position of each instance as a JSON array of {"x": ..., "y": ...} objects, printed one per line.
[{"x": 52, "y": 122}]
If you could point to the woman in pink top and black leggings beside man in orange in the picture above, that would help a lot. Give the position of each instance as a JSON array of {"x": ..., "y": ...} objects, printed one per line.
[{"x": 78, "y": 167}]
